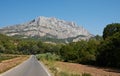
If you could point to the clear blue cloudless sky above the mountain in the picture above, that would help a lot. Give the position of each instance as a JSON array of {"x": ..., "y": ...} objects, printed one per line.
[{"x": 93, "y": 15}]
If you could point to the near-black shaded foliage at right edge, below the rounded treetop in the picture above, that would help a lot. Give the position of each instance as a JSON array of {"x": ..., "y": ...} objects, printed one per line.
[{"x": 109, "y": 51}]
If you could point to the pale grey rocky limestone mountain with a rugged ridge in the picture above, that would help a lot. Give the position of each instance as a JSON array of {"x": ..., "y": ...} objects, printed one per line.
[{"x": 45, "y": 27}]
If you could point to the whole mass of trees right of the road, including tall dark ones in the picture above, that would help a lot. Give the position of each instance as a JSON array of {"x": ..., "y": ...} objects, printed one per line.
[{"x": 102, "y": 52}]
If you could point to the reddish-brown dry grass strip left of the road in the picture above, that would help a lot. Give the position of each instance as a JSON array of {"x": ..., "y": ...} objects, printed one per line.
[{"x": 7, "y": 64}]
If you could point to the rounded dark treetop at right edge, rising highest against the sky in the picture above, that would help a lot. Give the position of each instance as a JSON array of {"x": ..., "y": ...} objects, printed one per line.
[{"x": 111, "y": 29}]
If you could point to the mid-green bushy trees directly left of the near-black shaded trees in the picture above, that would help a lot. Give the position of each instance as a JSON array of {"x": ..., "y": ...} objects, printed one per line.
[{"x": 80, "y": 52}]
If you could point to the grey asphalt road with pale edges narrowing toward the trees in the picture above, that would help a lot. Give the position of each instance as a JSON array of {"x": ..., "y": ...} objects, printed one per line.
[{"x": 31, "y": 67}]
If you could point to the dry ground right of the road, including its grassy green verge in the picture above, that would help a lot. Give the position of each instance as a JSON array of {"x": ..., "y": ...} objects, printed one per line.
[{"x": 58, "y": 68}]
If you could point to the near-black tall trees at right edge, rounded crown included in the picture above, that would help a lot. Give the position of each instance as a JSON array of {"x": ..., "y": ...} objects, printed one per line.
[{"x": 109, "y": 49}]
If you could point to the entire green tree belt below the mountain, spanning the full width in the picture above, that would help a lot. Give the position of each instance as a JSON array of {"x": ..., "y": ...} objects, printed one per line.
[{"x": 103, "y": 51}]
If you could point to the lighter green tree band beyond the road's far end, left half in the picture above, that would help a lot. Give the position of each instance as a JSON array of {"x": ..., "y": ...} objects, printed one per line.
[{"x": 11, "y": 45}]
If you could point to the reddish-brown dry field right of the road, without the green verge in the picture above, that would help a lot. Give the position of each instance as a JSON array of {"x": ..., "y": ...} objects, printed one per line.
[{"x": 79, "y": 69}]
